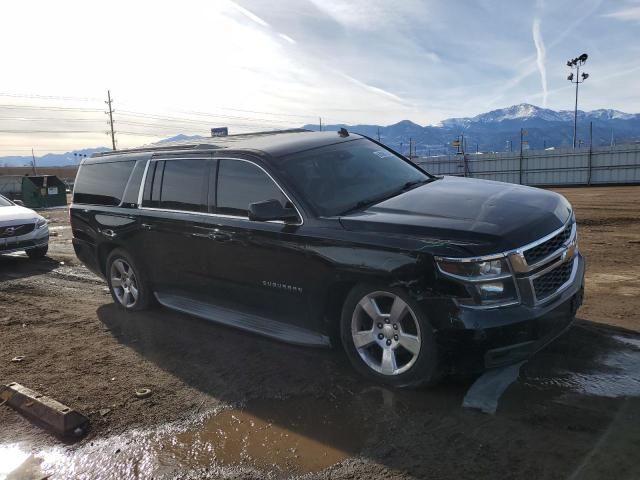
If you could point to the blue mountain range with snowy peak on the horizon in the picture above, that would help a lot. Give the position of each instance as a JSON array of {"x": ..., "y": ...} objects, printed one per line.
[{"x": 497, "y": 130}]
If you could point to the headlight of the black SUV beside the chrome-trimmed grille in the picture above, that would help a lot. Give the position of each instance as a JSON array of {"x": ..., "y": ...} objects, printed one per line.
[{"x": 490, "y": 283}]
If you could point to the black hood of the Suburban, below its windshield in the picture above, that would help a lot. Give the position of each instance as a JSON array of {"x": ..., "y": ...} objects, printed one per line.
[{"x": 482, "y": 217}]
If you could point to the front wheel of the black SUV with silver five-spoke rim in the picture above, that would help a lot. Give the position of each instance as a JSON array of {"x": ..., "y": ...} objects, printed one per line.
[{"x": 388, "y": 338}]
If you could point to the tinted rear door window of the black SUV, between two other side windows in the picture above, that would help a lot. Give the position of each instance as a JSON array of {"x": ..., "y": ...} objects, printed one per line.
[{"x": 177, "y": 185}]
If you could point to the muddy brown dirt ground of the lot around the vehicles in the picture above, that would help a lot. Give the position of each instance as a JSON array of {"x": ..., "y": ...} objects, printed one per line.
[{"x": 226, "y": 404}]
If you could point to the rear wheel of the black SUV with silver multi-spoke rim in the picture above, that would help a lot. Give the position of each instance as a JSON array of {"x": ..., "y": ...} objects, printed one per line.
[{"x": 127, "y": 282}]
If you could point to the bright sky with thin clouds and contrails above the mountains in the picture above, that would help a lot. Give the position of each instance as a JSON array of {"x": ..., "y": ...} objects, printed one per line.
[{"x": 183, "y": 67}]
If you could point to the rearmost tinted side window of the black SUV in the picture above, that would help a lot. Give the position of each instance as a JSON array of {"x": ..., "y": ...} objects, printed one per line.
[{"x": 102, "y": 183}]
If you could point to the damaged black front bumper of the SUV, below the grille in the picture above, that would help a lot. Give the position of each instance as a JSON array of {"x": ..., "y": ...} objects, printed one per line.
[{"x": 481, "y": 339}]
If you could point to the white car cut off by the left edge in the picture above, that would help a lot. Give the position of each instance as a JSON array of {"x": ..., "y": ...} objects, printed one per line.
[{"x": 22, "y": 229}]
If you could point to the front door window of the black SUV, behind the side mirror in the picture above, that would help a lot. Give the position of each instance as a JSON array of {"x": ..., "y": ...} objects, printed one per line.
[{"x": 242, "y": 183}]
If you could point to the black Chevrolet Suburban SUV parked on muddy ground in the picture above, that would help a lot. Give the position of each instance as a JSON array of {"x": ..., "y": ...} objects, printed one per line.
[{"x": 325, "y": 238}]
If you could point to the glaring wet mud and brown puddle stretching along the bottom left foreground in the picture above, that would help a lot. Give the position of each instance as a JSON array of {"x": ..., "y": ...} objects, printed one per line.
[{"x": 279, "y": 437}]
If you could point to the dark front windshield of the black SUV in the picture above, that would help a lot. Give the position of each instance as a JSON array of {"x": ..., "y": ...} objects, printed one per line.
[{"x": 344, "y": 177}]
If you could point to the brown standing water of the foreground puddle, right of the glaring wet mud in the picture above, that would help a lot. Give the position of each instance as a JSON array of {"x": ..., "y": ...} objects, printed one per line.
[{"x": 298, "y": 437}]
